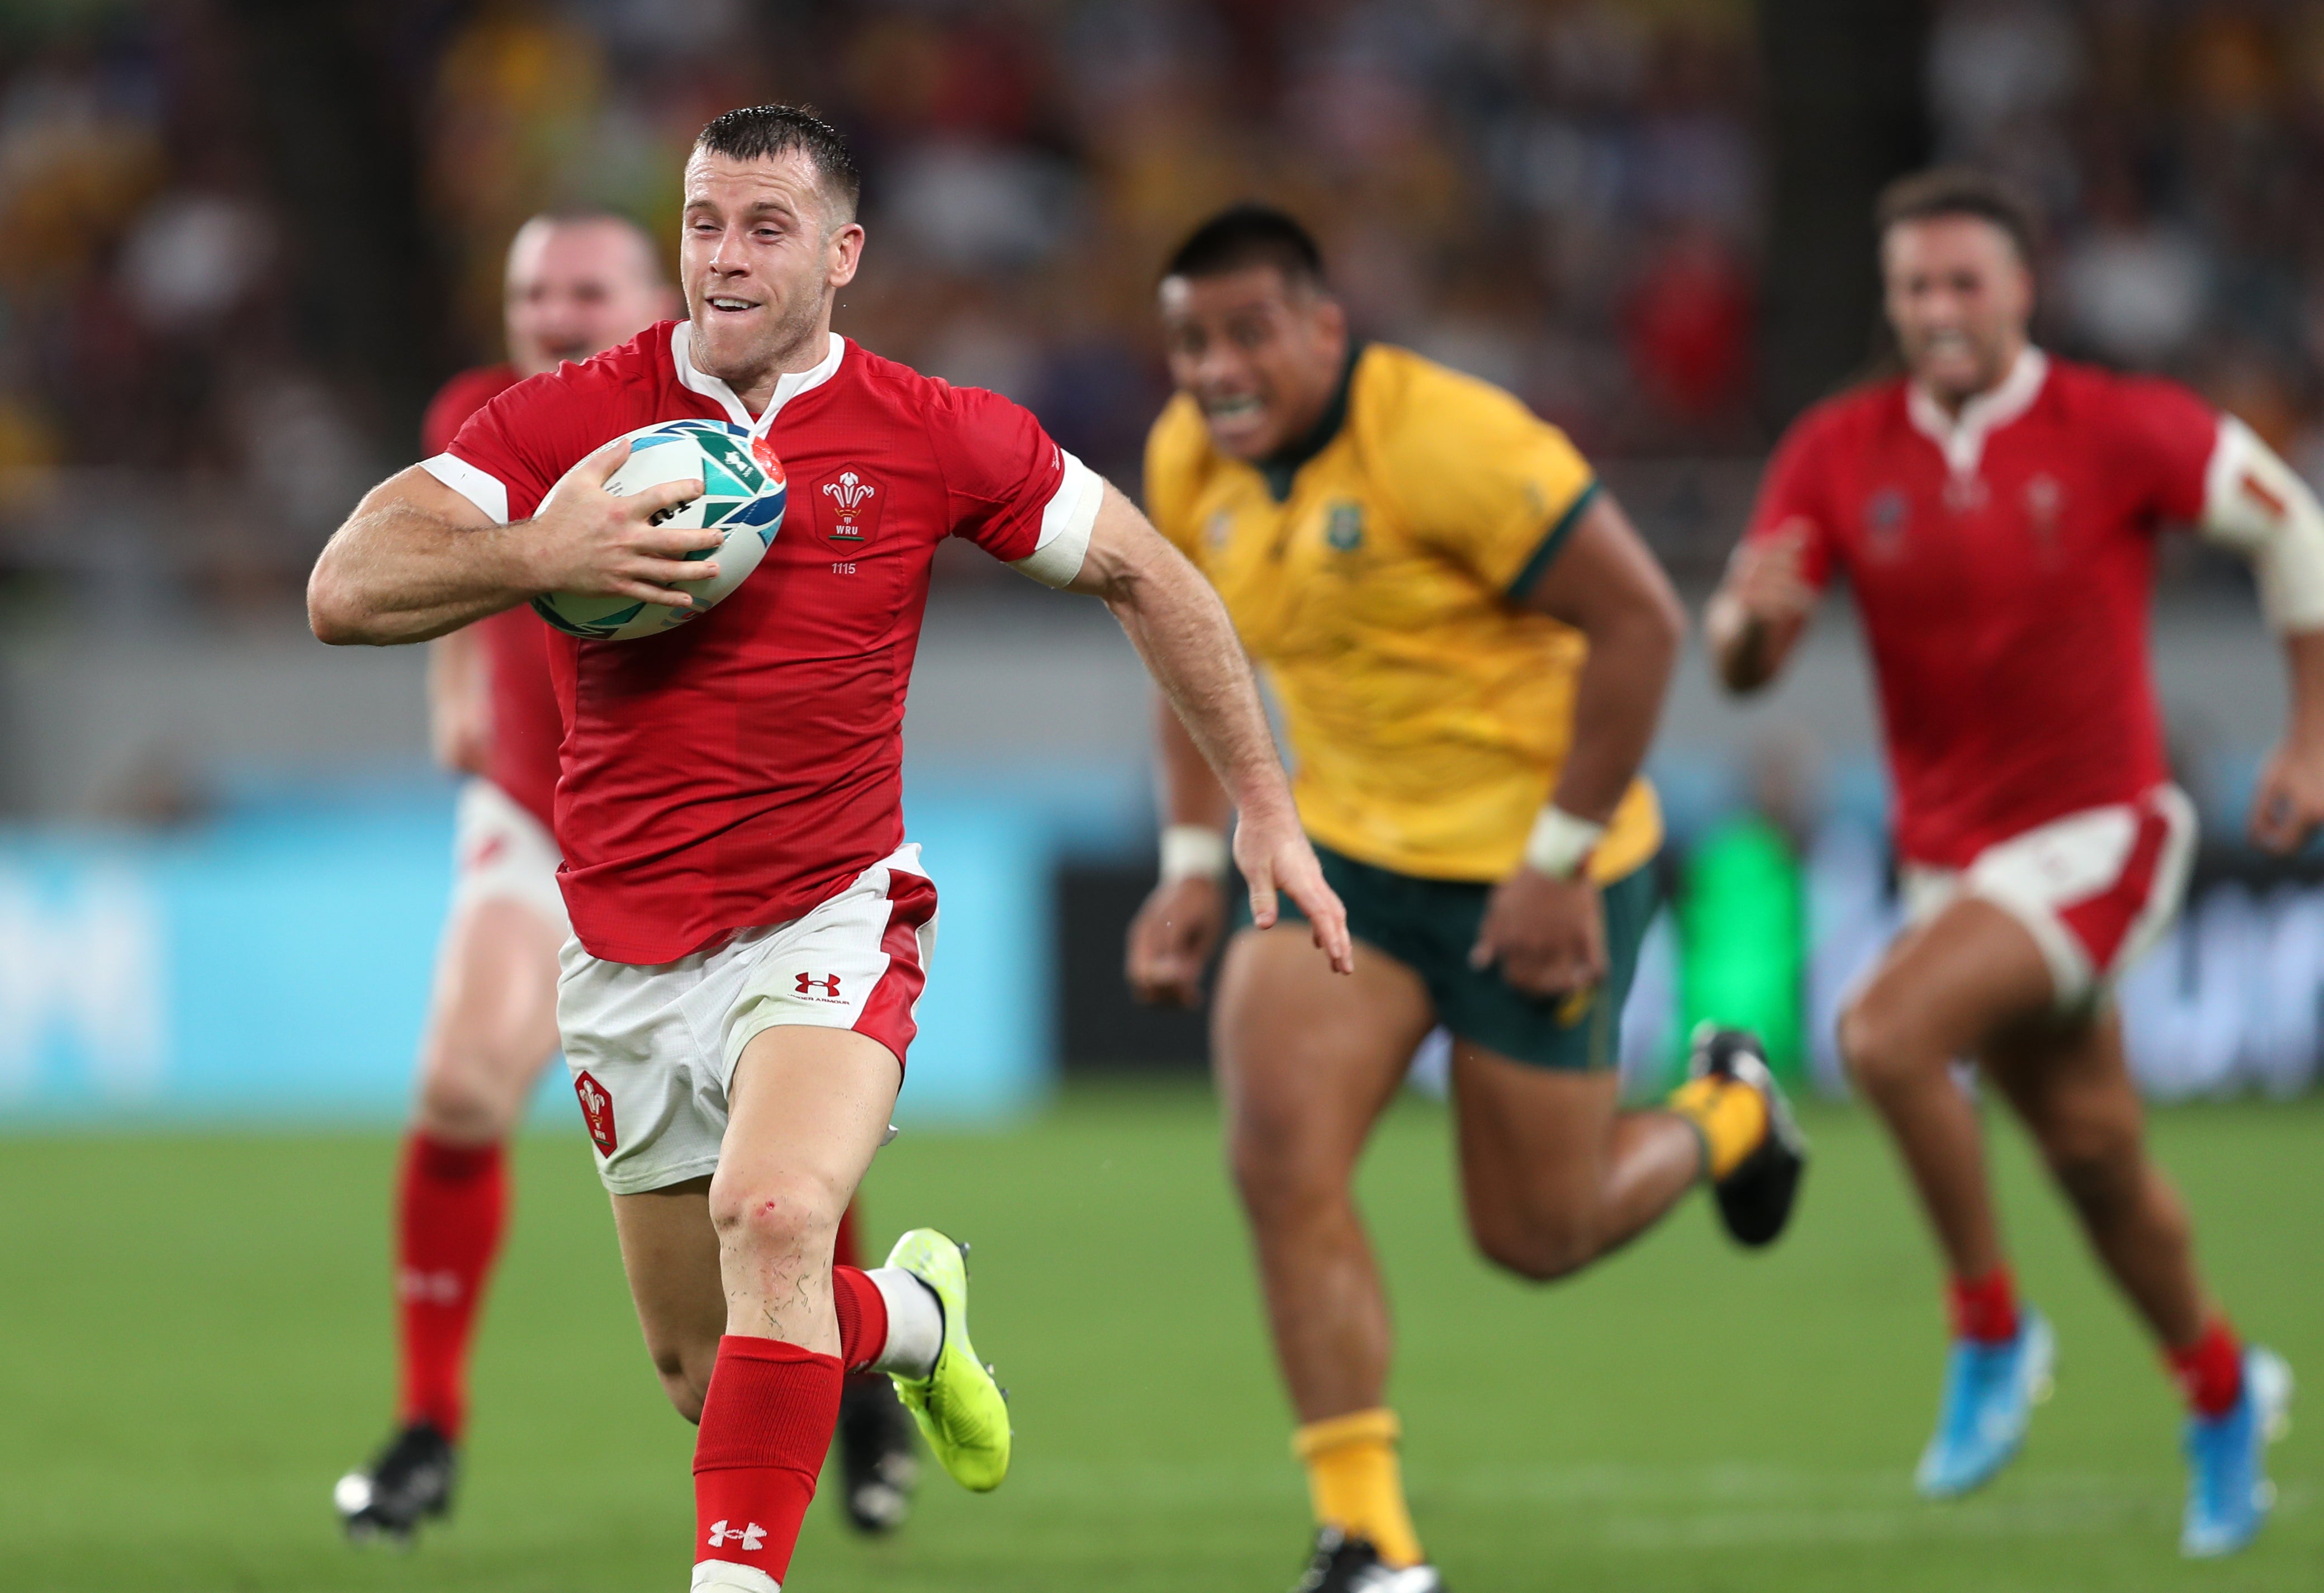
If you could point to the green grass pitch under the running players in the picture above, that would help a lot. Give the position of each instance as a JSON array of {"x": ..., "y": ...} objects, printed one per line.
[{"x": 194, "y": 1343}]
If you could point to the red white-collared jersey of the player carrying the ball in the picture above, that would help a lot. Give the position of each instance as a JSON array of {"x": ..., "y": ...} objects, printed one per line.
[{"x": 743, "y": 769}]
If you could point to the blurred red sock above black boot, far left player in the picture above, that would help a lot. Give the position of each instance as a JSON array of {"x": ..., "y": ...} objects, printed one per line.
[{"x": 452, "y": 1208}]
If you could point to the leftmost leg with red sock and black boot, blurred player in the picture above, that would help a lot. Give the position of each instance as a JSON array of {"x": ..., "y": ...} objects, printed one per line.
[{"x": 492, "y": 1031}]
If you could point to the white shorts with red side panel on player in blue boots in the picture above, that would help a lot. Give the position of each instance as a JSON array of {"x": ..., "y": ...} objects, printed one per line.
[{"x": 2097, "y": 890}]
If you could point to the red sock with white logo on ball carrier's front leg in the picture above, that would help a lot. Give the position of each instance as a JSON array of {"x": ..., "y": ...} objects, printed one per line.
[{"x": 766, "y": 1427}]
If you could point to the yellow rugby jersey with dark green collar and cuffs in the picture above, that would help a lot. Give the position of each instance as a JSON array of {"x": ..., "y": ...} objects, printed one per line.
[{"x": 1372, "y": 580}]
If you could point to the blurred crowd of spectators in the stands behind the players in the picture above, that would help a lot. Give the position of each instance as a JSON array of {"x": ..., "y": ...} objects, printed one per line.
[{"x": 1568, "y": 197}]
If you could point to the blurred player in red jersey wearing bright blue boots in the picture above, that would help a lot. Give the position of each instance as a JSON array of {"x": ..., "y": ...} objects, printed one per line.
[{"x": 1997, "y": 513}]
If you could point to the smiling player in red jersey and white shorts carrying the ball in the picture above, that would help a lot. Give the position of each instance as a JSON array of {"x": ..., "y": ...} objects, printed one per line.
[{"x": 749, "y": 922}]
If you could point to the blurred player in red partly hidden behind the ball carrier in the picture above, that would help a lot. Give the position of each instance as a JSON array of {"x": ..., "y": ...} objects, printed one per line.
[{"x": 578, "y": 283}]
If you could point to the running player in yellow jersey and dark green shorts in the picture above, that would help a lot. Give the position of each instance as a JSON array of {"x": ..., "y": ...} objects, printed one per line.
[{"x": 1470, "y": 648}]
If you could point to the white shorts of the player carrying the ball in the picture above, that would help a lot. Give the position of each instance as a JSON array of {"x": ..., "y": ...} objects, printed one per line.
[{"x": 652, "y": 1048}]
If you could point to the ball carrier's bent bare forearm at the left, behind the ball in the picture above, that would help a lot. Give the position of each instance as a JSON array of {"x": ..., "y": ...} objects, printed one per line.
[{"x": 396, "y": 573}]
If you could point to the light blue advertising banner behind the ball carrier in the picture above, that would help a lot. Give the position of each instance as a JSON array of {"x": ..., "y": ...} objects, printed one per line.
[{"x": 275, "y": 966}]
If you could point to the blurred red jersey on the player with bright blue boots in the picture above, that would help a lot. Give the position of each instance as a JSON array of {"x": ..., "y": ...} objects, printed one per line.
[{"x": 2002, "y": 566}]
